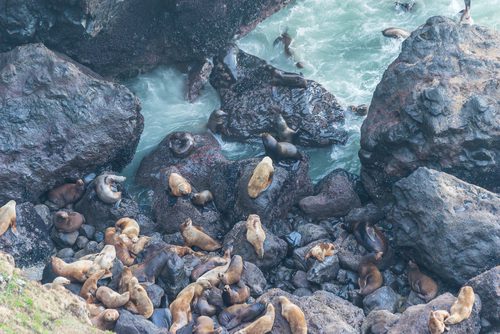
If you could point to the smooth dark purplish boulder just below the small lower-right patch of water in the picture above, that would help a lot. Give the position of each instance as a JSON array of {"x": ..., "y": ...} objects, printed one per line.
[{"x": 335, "y": 196}]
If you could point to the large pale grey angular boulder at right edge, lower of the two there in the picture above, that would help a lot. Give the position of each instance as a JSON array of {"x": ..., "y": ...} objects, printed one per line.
[{"x": 459, "y": 237}]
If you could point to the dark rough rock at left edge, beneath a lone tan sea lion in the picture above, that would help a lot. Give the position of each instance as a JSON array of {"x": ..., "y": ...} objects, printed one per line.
[{"x": 32, "y": 244}]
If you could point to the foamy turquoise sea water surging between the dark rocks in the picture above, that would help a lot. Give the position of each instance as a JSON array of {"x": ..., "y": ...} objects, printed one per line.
[{"x": 341, "y": 45}]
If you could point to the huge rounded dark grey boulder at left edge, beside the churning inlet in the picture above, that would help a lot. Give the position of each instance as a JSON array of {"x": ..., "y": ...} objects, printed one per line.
[{"x": 92, "y": 123}]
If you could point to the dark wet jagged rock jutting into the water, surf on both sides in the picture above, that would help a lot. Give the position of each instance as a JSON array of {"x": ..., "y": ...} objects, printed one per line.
[{"x": 253, "y": 100}]
